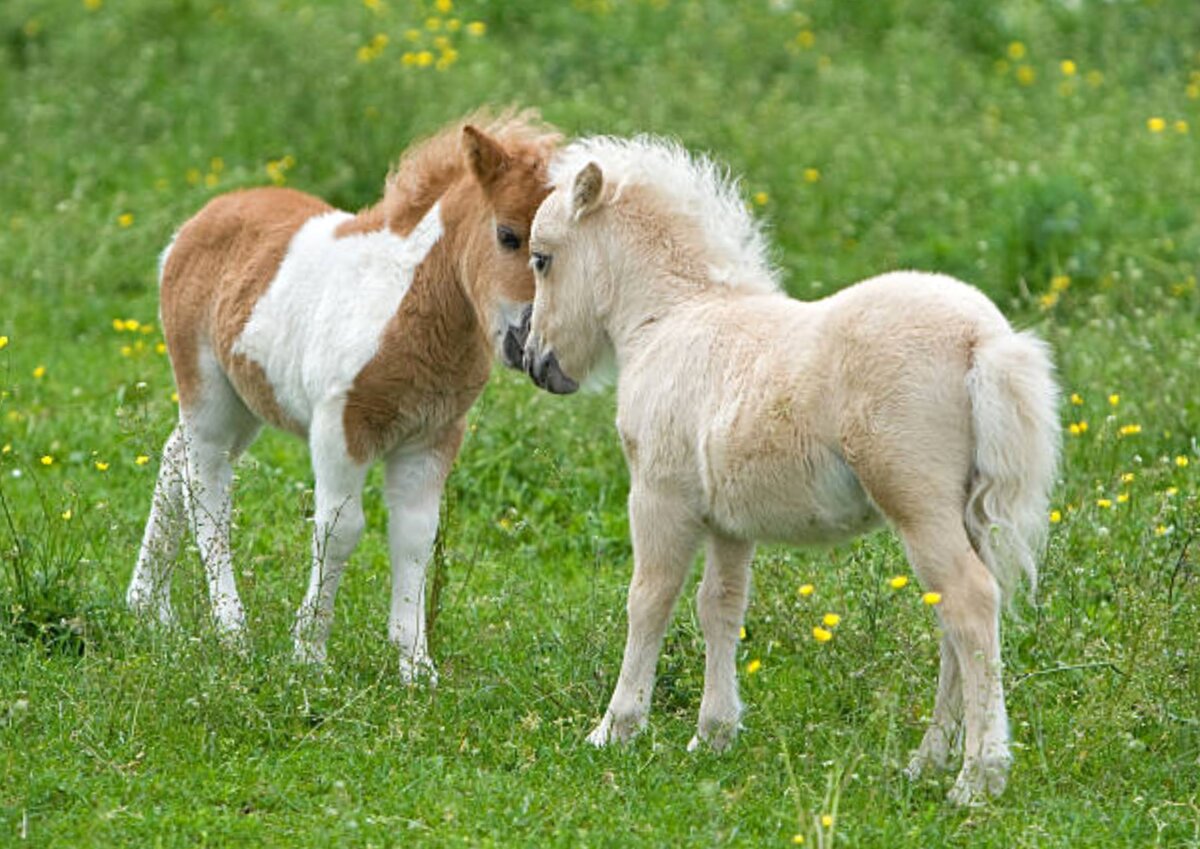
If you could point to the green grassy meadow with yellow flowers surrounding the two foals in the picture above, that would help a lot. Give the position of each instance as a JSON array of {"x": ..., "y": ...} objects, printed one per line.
[{"x": 1046, "y": 152}]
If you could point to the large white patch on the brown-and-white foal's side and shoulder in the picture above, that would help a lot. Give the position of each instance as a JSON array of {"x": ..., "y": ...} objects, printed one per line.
[{"x": 322, "y": 317}]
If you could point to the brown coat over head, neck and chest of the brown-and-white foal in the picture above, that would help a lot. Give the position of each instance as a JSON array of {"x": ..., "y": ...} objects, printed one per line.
[{"x": 436, "y": 353}]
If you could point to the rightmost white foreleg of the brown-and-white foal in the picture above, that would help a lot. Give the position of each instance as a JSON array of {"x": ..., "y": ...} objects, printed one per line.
[{"x": 415, "y": 483}]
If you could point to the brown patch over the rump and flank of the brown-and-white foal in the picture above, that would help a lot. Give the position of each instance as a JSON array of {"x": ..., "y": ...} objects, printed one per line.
[{"x": 221, "y": 263}]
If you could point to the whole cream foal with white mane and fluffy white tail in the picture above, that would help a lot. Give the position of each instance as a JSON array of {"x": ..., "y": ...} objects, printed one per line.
[{"x": 747, "y": 416}]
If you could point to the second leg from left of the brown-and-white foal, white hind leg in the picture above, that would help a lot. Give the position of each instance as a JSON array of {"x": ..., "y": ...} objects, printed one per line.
[{"x": 215, "y": 432}]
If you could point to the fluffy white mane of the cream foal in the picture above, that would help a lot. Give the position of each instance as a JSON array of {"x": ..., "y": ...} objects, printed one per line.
[{"x": 693, "y": 188}]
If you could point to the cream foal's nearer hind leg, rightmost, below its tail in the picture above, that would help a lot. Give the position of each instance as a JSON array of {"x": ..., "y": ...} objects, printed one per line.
[{"x": 970, "y": 616}]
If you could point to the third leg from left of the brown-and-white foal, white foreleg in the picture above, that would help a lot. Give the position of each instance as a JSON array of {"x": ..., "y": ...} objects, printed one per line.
[{"x": 338, "y": 526}]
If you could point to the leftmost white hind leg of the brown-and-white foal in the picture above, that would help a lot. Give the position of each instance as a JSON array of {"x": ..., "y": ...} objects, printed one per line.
[{"x": 149, "y": 592}]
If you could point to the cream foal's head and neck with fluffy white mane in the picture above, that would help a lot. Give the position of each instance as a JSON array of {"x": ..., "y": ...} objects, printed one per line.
[{"x": 632, "y": 227}]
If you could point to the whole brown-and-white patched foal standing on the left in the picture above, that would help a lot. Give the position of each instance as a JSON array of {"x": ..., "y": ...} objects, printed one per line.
[{"x": 368, "y": 335}]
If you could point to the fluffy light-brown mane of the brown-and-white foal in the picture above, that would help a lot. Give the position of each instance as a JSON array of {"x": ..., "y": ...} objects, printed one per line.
[{"x": 430, "y": 167}]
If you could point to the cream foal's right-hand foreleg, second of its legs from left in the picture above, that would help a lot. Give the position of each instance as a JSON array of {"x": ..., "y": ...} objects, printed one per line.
[{"x": 722, "y": 604}]
